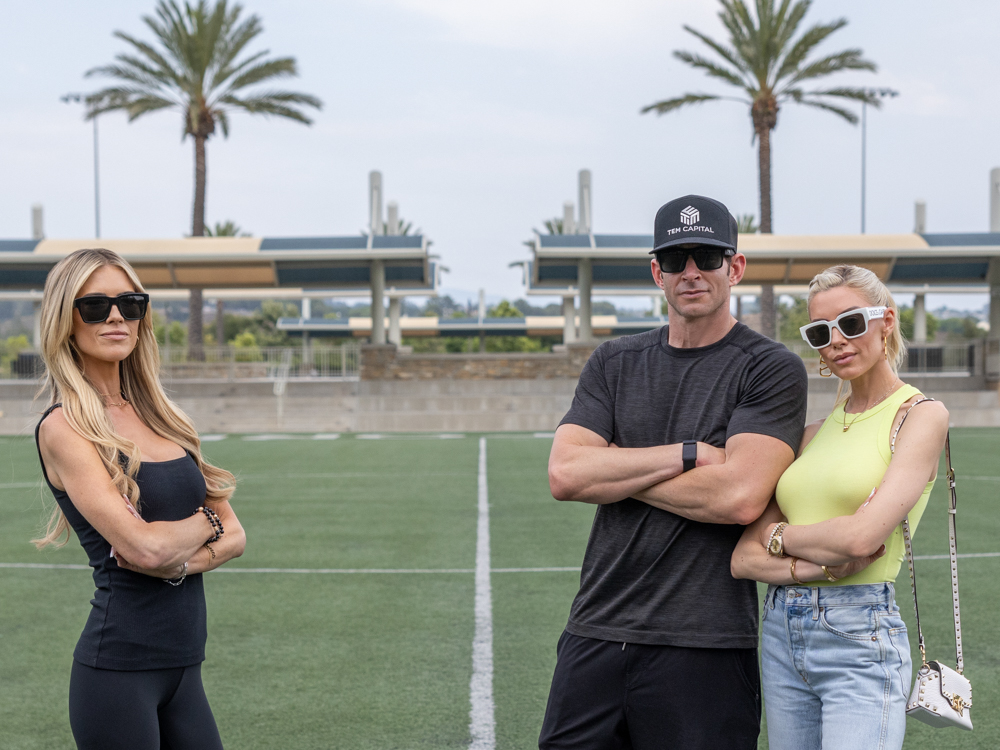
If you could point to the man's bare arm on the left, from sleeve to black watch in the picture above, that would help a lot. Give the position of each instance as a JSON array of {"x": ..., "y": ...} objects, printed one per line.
[{"x": 584, "y": 467}]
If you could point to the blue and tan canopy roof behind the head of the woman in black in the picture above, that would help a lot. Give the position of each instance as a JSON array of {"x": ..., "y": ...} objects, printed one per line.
[{"x": 341, "y": 264}]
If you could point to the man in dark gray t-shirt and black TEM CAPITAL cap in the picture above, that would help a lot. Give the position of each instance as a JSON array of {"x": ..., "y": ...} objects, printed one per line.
[{"x": 679, "y": 436}]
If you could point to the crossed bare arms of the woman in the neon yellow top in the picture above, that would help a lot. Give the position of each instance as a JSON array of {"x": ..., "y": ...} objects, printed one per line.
[{"x": 848, "y": 544}]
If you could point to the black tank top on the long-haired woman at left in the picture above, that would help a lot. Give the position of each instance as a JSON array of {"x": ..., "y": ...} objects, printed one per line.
[{"x": 138, "y": 622}]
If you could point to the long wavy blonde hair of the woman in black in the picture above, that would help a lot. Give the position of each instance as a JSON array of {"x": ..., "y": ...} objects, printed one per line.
[{"x": 82, "y": 404}]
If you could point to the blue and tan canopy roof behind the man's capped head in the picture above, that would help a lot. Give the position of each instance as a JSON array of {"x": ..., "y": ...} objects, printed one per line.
[{"x": 621, "y": 262}]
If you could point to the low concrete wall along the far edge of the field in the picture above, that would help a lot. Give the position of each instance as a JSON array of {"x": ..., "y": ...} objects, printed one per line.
[{"x": 428, "y": 405}]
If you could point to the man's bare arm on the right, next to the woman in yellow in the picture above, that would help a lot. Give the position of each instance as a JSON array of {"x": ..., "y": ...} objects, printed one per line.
[{"x": 734, "y": 492}]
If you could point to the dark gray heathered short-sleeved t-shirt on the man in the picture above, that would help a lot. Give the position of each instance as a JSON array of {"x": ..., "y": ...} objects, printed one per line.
[{"x": 650, "y": 576}]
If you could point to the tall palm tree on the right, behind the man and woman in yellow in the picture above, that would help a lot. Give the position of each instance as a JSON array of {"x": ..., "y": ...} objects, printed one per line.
[{"x": 767, "y": 63}]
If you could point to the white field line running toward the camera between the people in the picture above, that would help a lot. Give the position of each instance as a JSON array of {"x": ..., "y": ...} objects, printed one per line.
[{"x": 482, "y": 723}]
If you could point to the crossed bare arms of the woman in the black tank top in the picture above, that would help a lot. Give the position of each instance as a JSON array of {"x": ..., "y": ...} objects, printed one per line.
[{"x": 157, "y": 548}]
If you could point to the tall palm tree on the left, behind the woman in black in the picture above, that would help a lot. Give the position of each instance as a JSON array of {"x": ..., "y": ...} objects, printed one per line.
[{"x": 197, "y": 70}]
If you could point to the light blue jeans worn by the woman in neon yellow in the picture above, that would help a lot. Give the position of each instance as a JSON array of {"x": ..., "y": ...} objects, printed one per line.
[{"x": 835, "y": 666}]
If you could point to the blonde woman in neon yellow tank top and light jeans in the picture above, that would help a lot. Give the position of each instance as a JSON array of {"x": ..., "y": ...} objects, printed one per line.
[{"x": 835, "y": 657}]
